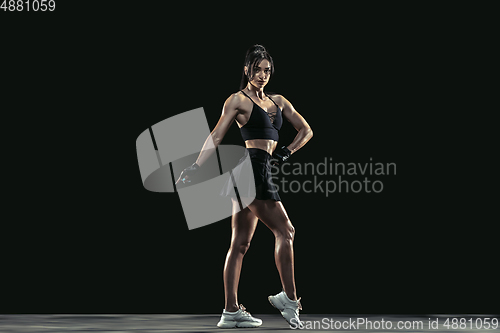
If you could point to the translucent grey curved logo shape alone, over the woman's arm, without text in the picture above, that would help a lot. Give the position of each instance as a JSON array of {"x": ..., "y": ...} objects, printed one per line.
[{"x": 167, "y": 147}]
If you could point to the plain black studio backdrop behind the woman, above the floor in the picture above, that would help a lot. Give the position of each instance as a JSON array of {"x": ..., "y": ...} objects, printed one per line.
[{"x": 86, "y": 237}]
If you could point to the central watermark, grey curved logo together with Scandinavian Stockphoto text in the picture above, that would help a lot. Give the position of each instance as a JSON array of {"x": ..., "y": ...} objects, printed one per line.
[{"x": 167, "y": 147}]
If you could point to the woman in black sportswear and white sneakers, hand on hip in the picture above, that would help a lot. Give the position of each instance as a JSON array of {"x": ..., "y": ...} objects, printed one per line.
[{"x": 259, "y": 117}]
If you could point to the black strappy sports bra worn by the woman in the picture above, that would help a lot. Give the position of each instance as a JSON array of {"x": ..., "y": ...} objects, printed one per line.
[{"x": 262, "y": 124}]
